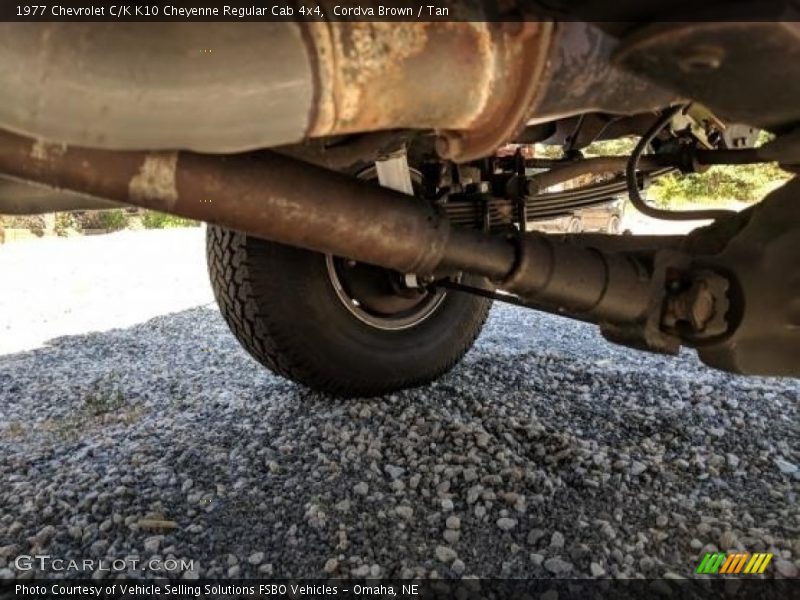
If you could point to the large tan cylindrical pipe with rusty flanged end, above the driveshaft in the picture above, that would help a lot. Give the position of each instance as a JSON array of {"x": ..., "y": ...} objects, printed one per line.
[{"x": 232, "y": 87}]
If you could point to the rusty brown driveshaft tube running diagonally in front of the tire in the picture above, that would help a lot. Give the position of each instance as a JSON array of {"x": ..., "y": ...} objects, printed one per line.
[{"x": 266, "y": 195}]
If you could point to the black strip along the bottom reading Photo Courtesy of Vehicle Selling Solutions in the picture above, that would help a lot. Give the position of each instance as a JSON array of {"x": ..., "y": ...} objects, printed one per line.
[{"x": 712, "y": 588}]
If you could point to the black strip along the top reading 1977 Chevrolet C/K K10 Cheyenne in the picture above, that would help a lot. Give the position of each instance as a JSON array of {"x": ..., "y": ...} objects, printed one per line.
[{"x": 395, "y": 10}]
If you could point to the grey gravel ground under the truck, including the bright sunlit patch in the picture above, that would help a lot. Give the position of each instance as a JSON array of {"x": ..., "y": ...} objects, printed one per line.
[{"x": 547, "y": 452}]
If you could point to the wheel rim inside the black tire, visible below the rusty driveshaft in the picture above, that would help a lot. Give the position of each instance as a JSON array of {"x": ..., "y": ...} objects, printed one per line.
[{"x": 377, "y": 296}]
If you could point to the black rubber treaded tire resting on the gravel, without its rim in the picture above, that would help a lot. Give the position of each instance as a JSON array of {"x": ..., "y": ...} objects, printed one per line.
[{"x": 281, "y": 304}]
